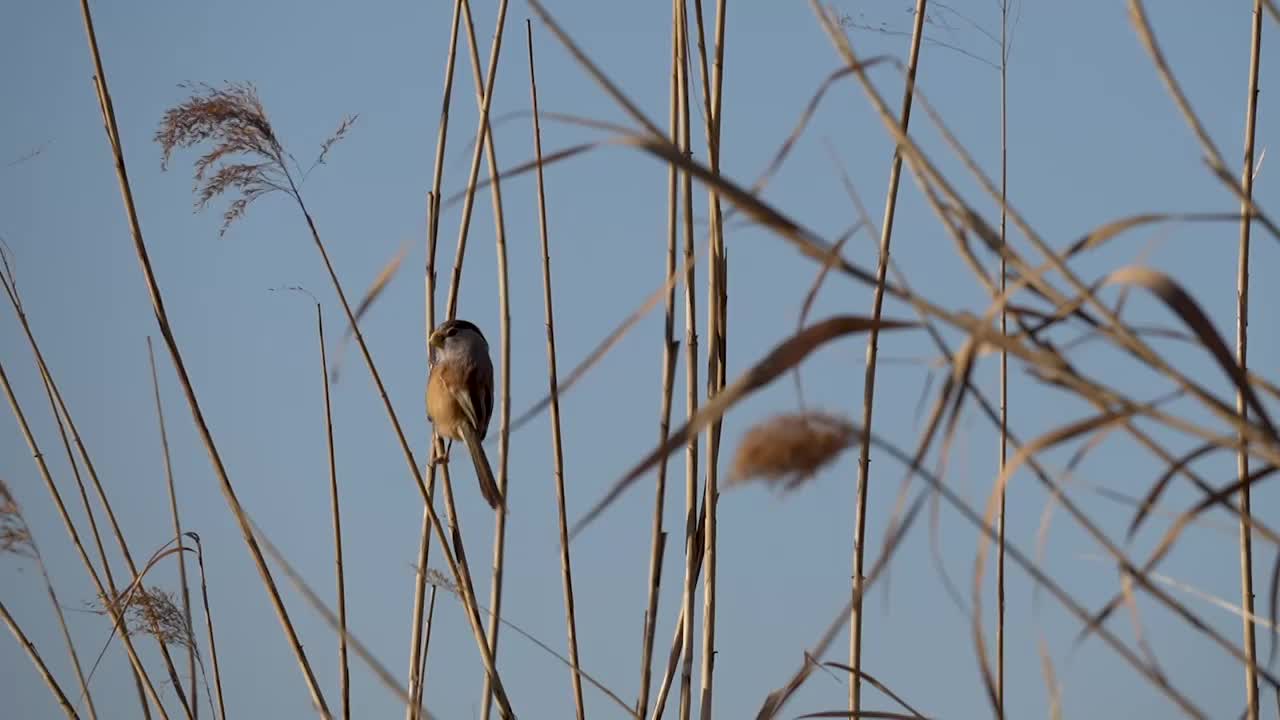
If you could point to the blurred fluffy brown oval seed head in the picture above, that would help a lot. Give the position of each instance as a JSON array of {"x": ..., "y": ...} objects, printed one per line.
[{"x": 793, "y": 446}]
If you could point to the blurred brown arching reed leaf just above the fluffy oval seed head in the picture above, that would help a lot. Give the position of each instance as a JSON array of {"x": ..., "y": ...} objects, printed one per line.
[{"x": 781, "y": 359}]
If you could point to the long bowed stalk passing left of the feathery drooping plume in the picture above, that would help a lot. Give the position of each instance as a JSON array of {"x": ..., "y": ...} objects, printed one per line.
[{"x": 166, "y": 330}]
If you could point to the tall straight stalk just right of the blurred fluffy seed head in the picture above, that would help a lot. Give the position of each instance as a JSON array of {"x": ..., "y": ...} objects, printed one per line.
[{"x": 856, "y": 623}]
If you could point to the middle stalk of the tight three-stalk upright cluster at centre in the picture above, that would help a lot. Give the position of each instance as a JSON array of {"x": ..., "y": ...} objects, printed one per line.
[{"x": 691, "y": 366}]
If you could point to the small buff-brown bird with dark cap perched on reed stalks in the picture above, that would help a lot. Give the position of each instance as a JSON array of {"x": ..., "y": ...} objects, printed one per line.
[{"x": 460, "y": 395}]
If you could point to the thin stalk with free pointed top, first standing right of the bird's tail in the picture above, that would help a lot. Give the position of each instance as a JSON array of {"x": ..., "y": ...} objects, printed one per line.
[{"x": 557, "y": 449}]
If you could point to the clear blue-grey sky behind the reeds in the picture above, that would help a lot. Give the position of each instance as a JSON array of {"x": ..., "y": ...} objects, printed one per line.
[{"x": 1092, "y": 138}]
